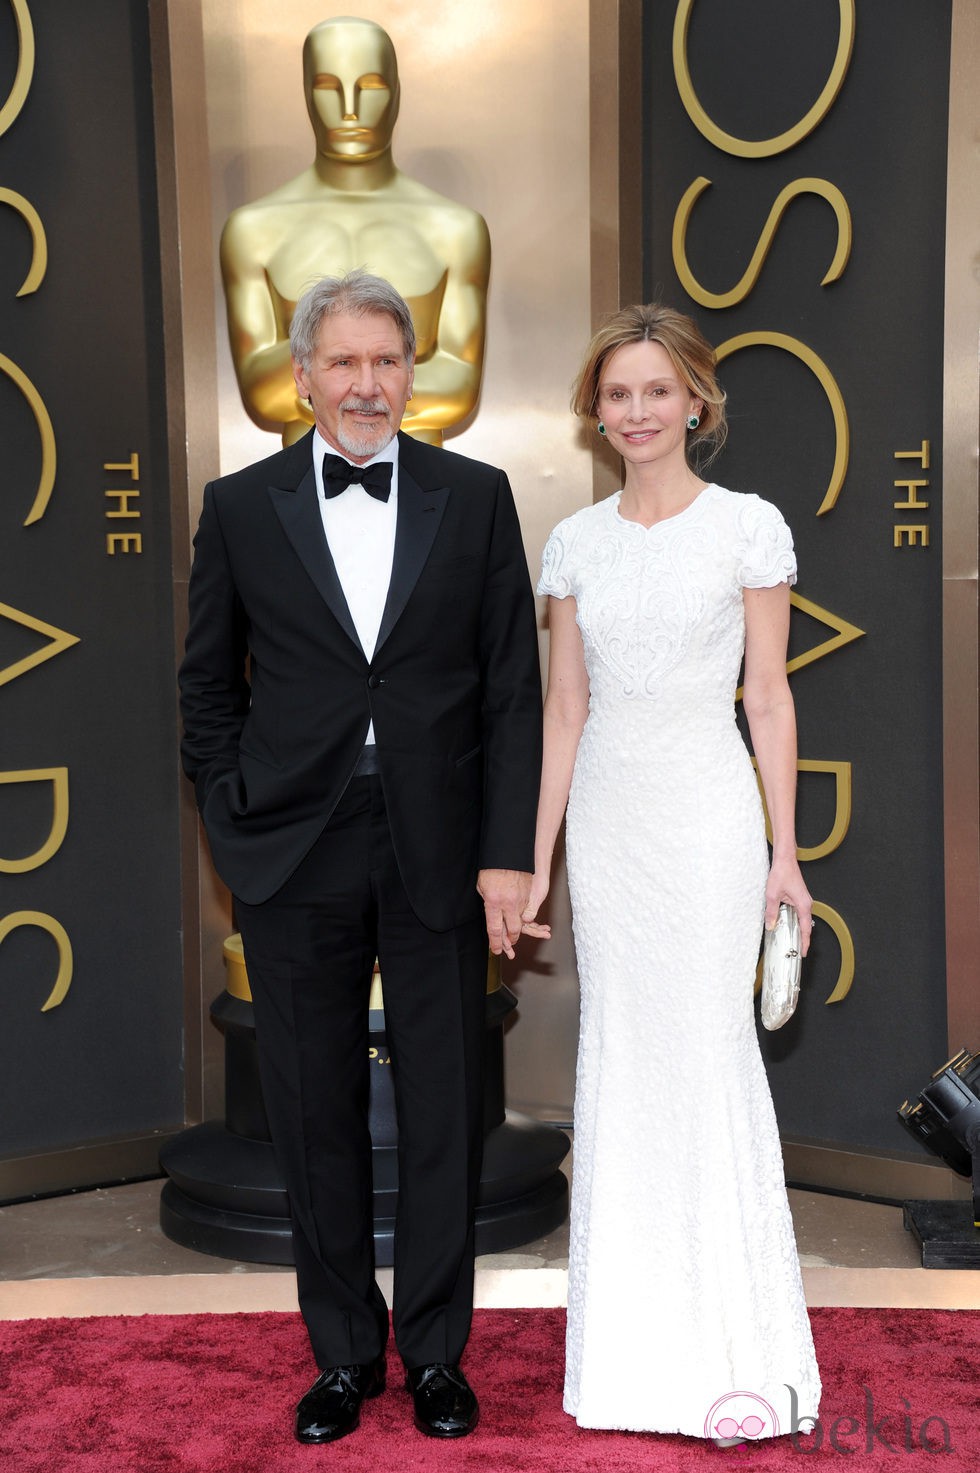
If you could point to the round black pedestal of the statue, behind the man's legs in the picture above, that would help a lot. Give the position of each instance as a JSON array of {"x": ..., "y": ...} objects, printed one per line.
[{"x": 225, "y": 1195}]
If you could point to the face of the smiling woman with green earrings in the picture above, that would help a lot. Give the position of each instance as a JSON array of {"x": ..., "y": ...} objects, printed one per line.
[{"x": 645, "y": 406}]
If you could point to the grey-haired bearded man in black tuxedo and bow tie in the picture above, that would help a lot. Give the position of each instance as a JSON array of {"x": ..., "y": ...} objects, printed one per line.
[{"x": 378, "y": 770}]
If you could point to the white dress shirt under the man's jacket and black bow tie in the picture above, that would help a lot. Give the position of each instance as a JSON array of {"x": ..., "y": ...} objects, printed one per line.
[{"x": 360, "y": 534}]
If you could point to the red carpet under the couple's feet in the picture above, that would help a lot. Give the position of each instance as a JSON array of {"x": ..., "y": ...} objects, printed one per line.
[{"x": 214, "y": 1394}]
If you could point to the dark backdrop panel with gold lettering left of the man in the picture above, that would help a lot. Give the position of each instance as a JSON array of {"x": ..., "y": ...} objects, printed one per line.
[{"x": 105, "y": 1061}]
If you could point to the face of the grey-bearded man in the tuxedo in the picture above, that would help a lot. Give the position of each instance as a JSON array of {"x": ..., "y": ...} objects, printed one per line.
[{"x": 359, "y": 384}]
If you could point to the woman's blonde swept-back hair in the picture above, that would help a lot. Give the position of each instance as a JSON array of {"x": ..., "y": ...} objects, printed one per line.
[{"x": 690, "y": 353}]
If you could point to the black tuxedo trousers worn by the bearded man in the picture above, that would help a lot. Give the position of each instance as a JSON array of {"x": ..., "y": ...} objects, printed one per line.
[{"x": 310, "y": 952}]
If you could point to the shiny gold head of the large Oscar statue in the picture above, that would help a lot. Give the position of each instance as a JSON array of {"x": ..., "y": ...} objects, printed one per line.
[{"x": 351, "y": 85}]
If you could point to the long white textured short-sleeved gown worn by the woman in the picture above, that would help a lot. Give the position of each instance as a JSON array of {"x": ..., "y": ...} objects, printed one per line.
[{"x": 686, "y": 1306}]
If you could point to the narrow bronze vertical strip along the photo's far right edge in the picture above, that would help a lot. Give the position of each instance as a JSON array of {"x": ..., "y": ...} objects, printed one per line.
[{"x": 962, "y": 634}]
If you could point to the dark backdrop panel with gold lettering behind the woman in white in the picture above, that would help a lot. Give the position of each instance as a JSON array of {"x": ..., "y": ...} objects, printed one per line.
[{"x": 838, "y": 1072}]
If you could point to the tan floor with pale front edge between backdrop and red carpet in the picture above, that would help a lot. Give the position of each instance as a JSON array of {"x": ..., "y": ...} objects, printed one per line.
[{"x": 104, "y": 1253}]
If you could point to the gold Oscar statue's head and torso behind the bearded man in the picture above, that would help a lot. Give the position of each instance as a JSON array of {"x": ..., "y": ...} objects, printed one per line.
[{"x": 354, "y": 208}]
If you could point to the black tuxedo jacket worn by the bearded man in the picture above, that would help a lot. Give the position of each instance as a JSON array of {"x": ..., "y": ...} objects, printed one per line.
[{"x": 278, "y": 695}]
